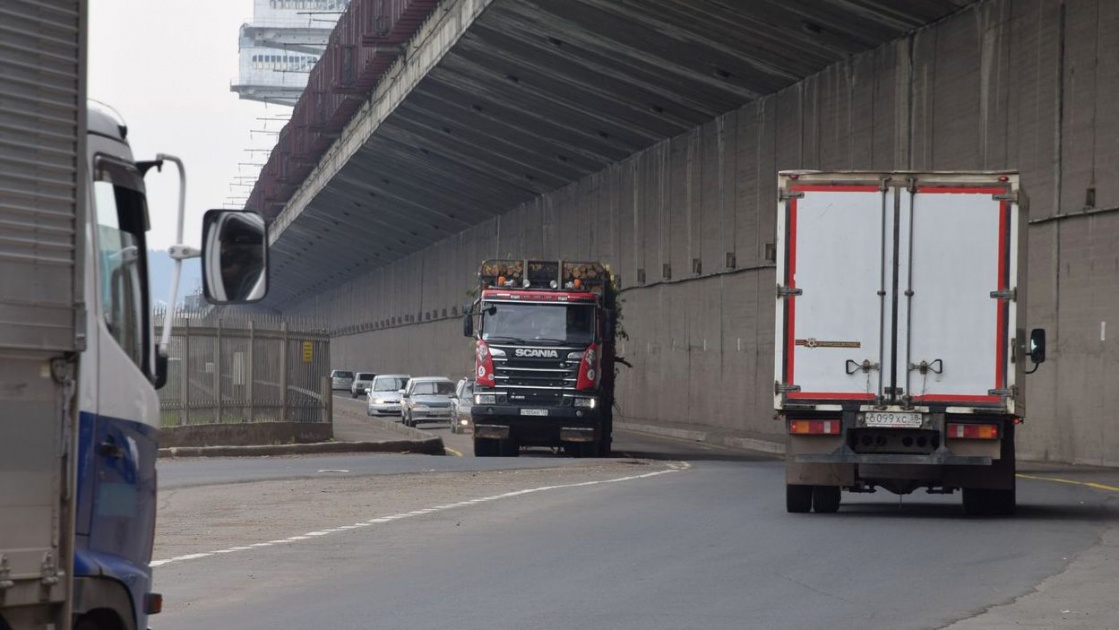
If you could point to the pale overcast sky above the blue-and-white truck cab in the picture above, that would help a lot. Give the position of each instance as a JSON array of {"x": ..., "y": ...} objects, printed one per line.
[{"x": 166, "y": 67}]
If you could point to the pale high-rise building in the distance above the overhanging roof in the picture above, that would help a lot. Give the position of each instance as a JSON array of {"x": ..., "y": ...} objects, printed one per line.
[{"x": 281, "y": 45}]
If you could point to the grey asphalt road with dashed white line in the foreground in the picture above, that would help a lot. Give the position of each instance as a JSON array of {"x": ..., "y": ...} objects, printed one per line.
[{"x": 700, "y": 542}]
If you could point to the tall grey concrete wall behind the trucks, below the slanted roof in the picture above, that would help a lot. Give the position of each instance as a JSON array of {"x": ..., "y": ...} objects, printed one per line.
[{"x": 690, "y": 224}]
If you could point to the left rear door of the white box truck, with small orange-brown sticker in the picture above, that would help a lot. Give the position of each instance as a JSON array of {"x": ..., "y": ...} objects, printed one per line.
[{"x": 832, "y": 278}]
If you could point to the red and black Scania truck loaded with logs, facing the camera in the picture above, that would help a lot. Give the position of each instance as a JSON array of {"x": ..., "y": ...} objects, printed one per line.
[{"x": 544, "y": 361}]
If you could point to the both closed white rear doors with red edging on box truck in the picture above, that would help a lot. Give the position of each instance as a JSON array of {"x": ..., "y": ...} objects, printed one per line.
[{"x": 897, "y": 288}]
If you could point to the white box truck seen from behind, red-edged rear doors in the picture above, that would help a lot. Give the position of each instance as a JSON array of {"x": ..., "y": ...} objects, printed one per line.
[{"x": 901, "y": 346}]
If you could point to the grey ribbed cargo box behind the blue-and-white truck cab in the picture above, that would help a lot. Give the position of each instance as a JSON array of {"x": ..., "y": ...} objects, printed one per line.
[{"x": 42, "y": 201}]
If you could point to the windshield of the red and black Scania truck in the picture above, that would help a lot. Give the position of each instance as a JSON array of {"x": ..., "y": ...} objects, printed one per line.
[{"x": 549, "y": 324}]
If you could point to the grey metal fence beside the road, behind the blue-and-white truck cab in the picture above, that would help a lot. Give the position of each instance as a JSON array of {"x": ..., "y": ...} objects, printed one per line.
[{"x": 245, "y": 368}]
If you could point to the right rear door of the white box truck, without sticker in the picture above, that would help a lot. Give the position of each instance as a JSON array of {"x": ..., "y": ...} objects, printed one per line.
[{"x": 957, "y": 304}]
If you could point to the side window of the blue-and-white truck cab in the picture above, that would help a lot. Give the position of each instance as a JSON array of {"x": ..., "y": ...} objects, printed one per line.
[{"x": 121, "y": 213}]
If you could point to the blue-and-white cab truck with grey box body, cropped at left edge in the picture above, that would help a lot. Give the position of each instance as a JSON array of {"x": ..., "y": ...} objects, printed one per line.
[{"x": 80, "y": 360}]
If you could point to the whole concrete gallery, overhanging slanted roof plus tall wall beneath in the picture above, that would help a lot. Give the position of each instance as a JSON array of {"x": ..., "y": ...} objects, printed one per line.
[{"x": 648, "y": 134}]
